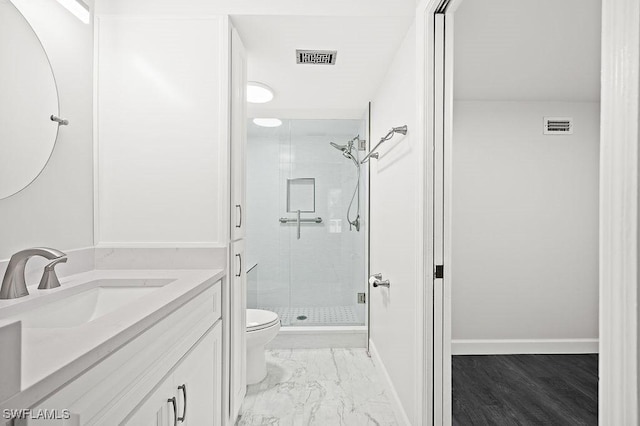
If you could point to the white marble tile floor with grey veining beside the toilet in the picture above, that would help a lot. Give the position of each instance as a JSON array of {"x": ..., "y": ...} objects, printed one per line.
[{"x": 324, "y": 387}]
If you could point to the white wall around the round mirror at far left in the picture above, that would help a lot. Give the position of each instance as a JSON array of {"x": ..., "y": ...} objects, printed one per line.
[{"x": 57, "y": 208}]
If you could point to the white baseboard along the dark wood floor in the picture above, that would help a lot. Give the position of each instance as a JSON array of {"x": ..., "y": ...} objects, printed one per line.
[{"x": 524, "y": 346}]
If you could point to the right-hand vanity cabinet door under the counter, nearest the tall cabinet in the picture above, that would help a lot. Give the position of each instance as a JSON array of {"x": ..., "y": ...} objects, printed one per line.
[{"x": 197, "y": 382}]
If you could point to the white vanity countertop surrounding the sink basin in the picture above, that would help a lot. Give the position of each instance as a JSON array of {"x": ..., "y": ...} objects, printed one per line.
[{"x": 51, "y": 357}]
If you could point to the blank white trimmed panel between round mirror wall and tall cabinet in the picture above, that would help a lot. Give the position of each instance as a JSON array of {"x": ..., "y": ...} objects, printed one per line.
[{"x": 162, "y": 159}]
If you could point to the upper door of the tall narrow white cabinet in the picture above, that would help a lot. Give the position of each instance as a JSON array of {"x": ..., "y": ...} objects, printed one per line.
[{"x": 238, "y": 136}]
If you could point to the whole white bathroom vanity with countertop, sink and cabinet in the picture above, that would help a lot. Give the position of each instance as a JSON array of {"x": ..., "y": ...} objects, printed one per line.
[{"x": 118, "y": 347}]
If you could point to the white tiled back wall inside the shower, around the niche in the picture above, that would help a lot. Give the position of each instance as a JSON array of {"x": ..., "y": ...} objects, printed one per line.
[{"x": 325, "y": 267}]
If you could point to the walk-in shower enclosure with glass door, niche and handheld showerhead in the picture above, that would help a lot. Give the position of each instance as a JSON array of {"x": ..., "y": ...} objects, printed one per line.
[{"x": 302, "y": 200}]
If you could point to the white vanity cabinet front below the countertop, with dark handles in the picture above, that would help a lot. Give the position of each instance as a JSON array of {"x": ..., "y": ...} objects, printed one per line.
[{"x": 179, "y": 357}]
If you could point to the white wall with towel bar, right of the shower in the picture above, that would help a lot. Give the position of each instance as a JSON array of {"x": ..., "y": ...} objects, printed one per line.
[{"x": 394, "y": 225}]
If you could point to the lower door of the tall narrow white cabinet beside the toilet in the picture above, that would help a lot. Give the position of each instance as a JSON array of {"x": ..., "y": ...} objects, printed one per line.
[{"x": 238, "y": 355}]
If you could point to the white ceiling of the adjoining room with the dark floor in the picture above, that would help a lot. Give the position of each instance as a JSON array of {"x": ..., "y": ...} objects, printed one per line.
[{"x": 527, "y": 50}]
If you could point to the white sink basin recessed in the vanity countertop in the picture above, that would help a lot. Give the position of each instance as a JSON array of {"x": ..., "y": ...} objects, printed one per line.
[{"x": 96, "y": 299}]
